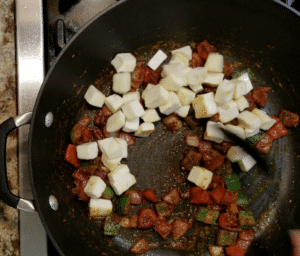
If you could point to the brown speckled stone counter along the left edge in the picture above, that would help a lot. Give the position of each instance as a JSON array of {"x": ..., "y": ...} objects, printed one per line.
[{"x": 9, "y": 237}]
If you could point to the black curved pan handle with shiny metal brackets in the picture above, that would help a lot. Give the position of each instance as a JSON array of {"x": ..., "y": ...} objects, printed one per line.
[{"x": 5, "y": 194}]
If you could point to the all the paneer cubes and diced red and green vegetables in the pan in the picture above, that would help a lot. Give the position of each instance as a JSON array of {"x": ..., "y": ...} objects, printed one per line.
[{"x": 194, "y": 84}]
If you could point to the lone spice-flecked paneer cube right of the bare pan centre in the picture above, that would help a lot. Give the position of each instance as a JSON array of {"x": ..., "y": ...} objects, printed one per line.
[{"x": 200, "y": 176}]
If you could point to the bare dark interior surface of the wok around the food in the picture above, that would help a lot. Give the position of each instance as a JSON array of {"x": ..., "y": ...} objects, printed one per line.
[{"x": 257, "y": 35}]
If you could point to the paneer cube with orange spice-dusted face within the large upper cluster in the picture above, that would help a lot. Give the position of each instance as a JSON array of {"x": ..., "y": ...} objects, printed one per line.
[{"x": 205, "y": 105}]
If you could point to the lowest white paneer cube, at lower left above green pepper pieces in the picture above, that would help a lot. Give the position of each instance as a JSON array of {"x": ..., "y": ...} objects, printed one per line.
[{"x": 100, "y": 207}]
